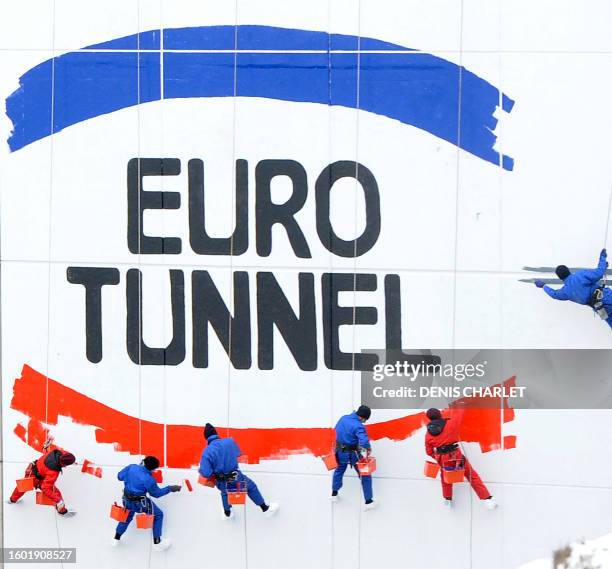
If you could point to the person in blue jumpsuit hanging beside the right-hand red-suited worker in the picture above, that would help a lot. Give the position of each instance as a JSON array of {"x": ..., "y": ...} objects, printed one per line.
[{"x": 352, "y": 442}]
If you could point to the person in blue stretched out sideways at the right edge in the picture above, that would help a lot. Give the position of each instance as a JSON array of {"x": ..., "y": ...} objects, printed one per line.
[{"x": 583, "y": 287}]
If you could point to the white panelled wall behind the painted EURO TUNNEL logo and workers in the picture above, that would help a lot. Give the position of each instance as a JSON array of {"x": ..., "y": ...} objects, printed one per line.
[{"x": 456, "y": 228}]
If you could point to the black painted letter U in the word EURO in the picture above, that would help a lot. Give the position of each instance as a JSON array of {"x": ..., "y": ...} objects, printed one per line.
[{"x": 200, "y": 241}]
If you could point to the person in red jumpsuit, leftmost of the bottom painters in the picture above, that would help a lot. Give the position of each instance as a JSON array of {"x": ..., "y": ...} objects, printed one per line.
[{"x": 45, "y": 472}]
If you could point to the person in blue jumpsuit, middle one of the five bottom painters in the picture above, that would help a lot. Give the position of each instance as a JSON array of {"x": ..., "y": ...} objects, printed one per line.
[{"x": 220, "y": 460}]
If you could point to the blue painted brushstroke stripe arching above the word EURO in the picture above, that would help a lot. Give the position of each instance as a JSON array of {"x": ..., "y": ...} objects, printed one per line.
[{"x": 414, "y": 88}]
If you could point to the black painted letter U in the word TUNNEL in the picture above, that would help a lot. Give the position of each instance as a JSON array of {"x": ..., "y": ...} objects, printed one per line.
[{"x": 139, "y": 352}]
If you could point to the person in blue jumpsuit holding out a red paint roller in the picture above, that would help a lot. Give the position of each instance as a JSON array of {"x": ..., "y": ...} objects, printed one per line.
[{"x": 138, "y": 482}]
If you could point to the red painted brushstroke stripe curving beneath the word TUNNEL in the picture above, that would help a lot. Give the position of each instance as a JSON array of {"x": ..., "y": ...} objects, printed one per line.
[{"x": 184, "y": 443}]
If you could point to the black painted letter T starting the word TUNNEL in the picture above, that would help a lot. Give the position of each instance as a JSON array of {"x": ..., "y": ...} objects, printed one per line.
[{"x": 93, "y": 279}]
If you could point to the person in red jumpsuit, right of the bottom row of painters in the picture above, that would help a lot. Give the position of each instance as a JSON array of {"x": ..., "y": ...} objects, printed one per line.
[{"x": 442, "y": 444}]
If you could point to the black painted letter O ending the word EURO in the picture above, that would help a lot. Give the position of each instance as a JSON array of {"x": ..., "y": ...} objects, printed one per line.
[{"x": 330, "y": 175}]
